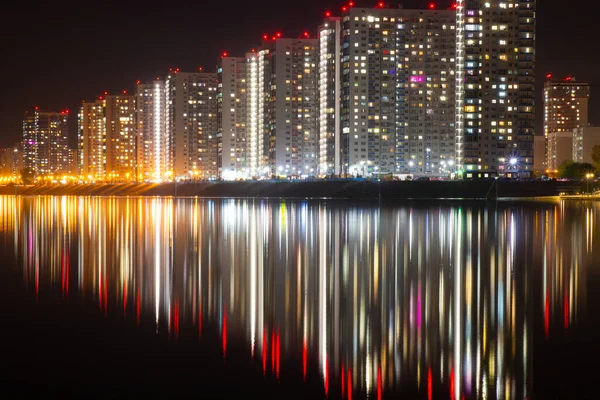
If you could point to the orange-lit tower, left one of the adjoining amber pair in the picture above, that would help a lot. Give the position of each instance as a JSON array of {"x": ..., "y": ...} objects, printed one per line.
[{"x": 91, "y": 140}]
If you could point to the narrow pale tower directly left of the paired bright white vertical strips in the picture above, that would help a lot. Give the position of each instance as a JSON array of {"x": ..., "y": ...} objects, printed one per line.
[{"x": 233, "y": 116}]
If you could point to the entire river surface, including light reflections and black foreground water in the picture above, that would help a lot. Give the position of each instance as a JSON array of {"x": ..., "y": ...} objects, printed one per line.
[{"x": 157, "y": 297}]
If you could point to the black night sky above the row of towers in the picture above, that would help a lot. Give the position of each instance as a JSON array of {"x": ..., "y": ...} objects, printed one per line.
[{"x": 57, "y": 54}]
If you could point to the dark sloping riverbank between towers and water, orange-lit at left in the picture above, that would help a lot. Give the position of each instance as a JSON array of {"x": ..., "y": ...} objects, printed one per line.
[{"x": 334, "y": 189}]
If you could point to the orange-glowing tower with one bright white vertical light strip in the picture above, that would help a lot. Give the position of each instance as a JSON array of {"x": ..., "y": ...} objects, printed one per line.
[{"x": 151, "y": 136}]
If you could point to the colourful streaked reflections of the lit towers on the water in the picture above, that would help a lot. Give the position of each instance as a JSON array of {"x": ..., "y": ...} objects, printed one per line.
[{"x": 432, "y": 299}]
